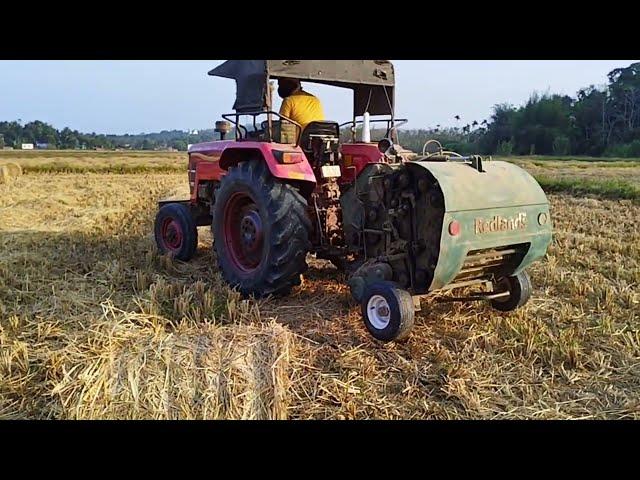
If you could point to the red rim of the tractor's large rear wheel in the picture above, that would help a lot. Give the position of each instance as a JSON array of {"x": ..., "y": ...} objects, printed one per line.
[{"x": 243, "y": 232}]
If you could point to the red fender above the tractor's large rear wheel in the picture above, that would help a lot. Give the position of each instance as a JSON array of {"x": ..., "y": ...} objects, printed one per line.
[{"x": 299, "y": 173}]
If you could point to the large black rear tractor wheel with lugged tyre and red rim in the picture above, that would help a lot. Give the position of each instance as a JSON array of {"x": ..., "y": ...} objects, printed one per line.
[{"x": 261, "y": 229}]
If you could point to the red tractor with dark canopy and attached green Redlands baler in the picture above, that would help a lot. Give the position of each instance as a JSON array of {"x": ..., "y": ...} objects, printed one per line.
[{"x": 402, "y": 225}]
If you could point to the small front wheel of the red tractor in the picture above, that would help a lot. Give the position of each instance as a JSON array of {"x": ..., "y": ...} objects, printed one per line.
[{"x": 176, "y": 232}]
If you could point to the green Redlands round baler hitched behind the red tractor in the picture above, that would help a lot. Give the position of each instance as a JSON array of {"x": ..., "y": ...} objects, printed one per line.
[{"x": 442, "y": 225}]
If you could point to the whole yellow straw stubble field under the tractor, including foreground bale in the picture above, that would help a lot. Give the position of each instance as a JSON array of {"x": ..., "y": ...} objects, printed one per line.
[{"x": 94, "y": 324}]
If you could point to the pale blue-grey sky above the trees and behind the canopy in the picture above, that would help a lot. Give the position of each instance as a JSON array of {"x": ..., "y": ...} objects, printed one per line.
[{"x": 149, "y": 96}]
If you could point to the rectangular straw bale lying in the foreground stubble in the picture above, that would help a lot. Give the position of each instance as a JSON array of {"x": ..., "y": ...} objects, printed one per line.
[{"x": 131, "y": 367}]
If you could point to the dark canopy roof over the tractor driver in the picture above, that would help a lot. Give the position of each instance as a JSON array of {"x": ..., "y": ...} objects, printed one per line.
[{"x": 372, "y": 81}]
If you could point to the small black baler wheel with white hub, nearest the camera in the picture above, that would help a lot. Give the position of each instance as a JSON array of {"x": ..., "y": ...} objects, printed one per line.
[{"x": 388, "y": 311}]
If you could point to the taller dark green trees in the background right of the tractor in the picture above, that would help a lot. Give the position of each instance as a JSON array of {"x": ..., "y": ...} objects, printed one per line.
[{"x": 598, "y": 121}]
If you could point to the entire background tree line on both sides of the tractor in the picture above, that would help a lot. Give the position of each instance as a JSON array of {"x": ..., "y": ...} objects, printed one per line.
[{"x": 598, "y": 121}]
